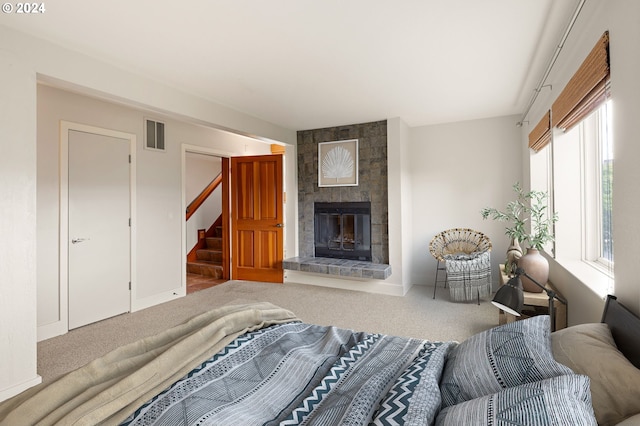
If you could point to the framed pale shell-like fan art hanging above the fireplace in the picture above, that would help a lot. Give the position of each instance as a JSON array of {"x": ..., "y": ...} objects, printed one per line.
[{"x": 338, "y": 163}]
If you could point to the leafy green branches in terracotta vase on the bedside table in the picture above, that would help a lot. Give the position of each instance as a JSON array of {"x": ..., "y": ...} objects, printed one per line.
[{"x": 527, "y": 207}]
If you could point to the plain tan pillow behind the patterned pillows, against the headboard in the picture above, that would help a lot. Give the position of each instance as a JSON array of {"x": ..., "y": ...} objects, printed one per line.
[{"x": 590, "y": 349}]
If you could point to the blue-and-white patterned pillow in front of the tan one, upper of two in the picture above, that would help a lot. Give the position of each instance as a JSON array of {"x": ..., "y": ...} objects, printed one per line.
[{"x": 502, "y": 357}]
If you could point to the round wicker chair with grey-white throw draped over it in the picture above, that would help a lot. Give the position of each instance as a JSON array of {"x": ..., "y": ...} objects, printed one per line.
[{"x": 464, "y": 255}]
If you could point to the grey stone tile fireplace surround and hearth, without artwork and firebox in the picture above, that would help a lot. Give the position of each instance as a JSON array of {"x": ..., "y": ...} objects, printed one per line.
[{"x": 371, "y": 188}]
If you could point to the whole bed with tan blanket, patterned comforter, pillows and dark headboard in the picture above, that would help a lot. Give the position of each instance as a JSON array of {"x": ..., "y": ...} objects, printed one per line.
[{"x": 259, "y": 364}]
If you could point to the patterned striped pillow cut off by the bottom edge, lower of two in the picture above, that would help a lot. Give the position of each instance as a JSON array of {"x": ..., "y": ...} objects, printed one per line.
[{"x": 562, "y": 400}]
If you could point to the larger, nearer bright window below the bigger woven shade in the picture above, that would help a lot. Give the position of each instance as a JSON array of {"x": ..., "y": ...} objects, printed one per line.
[{"x": 582, "y": 182}]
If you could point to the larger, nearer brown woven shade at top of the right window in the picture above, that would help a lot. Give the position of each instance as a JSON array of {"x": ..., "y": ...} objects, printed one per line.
[{"x": 587, "y": 89}]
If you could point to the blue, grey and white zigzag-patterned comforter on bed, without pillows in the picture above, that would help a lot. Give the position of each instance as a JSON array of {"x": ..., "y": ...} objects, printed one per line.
[{"x": 297, "y": 373}]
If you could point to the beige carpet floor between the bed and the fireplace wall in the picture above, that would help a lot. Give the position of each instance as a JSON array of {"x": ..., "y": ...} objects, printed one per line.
[{"x": 416, "y": 314}]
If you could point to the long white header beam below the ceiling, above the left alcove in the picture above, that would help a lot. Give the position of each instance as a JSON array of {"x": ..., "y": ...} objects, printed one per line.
[{"x": 74, "y": 71}]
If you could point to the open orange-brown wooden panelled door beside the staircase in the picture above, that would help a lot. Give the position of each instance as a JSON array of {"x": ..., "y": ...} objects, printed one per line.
[{"x": 257, "y": 218}]
